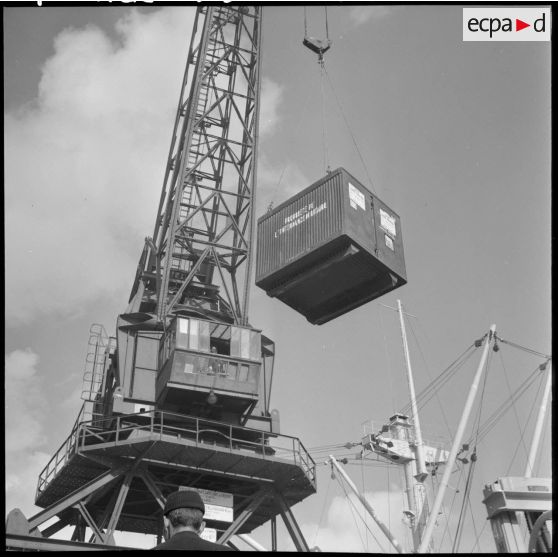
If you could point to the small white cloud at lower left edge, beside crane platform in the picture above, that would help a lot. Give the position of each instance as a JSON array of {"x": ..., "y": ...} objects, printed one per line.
[{"x": 24, "y": 429}]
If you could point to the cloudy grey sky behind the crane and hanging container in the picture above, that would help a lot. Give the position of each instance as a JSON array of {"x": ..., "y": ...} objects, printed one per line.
[{"x": 454, "y": 136}]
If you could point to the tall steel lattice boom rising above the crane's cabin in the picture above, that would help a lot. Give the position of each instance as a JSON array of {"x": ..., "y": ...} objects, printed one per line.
[{"x": 199, "y": 258}]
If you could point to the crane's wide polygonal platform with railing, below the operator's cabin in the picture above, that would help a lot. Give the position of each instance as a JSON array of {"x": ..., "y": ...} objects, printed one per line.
[{"x": 170, "y": 451}]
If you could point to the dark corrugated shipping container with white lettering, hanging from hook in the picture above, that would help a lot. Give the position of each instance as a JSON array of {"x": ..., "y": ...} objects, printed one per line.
[{"x": 330, "y": 249}]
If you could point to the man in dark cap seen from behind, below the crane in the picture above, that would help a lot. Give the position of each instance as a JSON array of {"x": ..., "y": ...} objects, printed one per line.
[{"x": 183, "y": 523}]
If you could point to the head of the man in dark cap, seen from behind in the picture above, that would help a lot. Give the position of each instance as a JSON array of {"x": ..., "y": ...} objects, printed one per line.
[{"x": 183, "y": 511}]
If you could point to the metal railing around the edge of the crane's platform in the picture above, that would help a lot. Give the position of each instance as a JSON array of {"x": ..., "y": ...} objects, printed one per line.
[{"x": 202, "y": 432}]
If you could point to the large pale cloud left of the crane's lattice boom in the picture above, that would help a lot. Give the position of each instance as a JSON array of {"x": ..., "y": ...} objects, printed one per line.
[{"x": 84, "y": 164}]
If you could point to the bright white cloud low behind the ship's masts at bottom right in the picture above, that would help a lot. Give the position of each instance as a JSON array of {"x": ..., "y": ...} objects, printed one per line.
[{"x": 344, "y": 531}]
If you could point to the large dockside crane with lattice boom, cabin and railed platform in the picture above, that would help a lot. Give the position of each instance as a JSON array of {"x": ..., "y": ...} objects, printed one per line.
[{"x": 180, "y": 396}]
